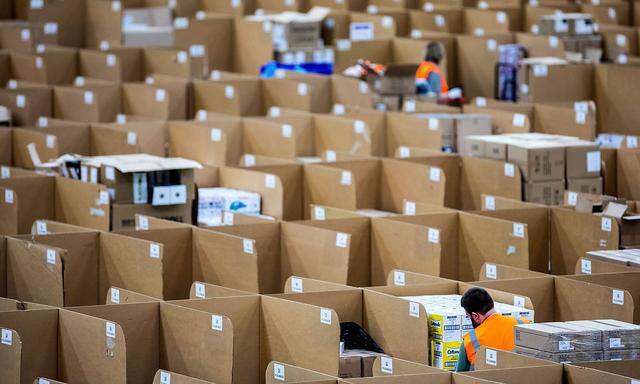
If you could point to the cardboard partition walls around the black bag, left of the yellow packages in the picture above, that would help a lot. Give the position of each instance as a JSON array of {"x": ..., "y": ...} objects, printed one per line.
[{"x": 312, "y": 340}]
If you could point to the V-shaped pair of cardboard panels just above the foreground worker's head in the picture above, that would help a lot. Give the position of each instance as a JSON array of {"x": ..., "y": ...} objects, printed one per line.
[{"x": 450, "y": 245}]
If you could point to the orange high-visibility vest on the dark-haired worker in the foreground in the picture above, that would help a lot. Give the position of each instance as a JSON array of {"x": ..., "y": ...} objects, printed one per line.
[{"x": 496, "y": 332}]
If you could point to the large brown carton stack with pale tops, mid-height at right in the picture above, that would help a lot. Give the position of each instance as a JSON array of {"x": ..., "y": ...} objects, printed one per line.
[{"x": 548, "y": 163}]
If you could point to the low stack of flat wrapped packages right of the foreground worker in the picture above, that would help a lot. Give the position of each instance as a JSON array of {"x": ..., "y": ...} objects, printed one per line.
[{"x": 579, "y": 341}]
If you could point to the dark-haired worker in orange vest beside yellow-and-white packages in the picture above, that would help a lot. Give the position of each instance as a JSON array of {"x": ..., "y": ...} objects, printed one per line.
[{"x": 490, "y": 329}]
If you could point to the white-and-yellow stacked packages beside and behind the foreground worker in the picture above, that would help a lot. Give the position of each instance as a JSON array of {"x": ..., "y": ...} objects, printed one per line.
[{"x": 448, "y": 323}]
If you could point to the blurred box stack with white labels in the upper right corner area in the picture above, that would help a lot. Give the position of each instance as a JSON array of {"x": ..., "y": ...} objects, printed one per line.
[{"x": 577, "y": 32}]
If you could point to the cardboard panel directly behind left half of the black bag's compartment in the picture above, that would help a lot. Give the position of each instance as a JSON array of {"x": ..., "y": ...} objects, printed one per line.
[{"x": 333, "y": 250}]
